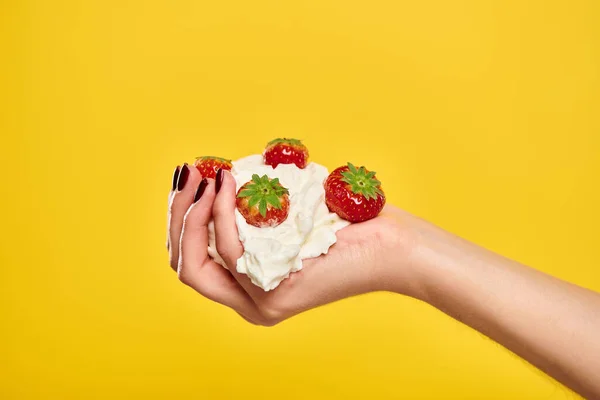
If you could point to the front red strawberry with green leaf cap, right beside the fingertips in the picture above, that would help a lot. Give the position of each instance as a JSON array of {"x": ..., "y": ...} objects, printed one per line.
[{"x": 263, "y": 202}]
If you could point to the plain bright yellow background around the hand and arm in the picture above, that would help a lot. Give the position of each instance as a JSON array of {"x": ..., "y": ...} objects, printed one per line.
[{"x": 481, "y": 116}]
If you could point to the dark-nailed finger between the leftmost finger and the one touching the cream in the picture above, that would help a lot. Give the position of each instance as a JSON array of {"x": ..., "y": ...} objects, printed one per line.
[{"x": 197, "y": 270}]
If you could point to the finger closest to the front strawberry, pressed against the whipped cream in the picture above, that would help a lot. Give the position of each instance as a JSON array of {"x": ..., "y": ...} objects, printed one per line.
[{"x": 226, "y": 233}]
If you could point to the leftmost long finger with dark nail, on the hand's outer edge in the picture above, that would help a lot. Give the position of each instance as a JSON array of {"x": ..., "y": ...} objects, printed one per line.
[{"x": 182, "y": 199}]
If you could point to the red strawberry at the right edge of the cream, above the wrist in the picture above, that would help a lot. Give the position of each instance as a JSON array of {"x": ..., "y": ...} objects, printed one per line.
[{"x": 354, "y": 194}]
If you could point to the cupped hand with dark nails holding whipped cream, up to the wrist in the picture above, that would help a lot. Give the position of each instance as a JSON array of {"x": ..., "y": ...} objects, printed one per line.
[{"x": 362, "y": 260}]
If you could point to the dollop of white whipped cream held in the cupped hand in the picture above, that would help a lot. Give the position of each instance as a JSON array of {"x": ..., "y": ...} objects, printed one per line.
[{"x": 271, "y": 254}]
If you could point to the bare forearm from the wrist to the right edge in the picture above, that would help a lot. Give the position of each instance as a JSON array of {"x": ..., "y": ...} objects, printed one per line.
[{"x": 551, "y": 323}]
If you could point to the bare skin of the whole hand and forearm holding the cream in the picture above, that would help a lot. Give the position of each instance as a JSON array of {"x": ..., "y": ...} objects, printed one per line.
[{"x": 552, "y": 324}]
